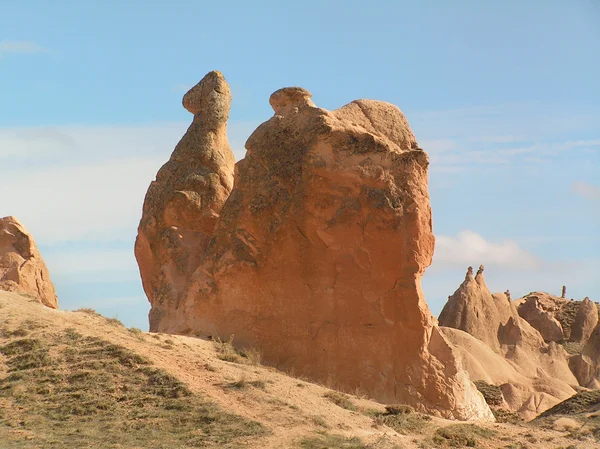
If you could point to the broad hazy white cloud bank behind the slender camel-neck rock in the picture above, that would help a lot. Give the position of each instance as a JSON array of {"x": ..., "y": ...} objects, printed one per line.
[{"x": 86, "y": 182}]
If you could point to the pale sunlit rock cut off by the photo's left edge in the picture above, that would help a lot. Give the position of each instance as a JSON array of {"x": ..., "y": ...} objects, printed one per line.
[{"x": 22, "y": 269}]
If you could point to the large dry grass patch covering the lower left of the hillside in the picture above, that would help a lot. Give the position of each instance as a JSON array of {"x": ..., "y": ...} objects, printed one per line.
[{"x": 66, "y": 390}]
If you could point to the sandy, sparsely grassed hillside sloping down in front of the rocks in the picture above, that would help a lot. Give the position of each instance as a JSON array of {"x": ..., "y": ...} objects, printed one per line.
[{"x": 77, "y": 379}]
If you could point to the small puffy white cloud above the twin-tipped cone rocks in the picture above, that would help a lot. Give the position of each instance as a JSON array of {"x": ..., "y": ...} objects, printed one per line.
[{"x": 470, "y": 248}]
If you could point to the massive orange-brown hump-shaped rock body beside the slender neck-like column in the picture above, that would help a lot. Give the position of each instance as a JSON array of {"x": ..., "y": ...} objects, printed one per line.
[{"x": 318, "y": 254}]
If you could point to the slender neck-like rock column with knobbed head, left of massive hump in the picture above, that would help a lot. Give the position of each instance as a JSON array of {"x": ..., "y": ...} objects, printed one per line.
[{"x": 182, "y": 205}]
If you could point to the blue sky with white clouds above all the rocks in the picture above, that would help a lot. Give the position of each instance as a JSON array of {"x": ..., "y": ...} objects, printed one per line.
[{"x": 504, "y": 96}]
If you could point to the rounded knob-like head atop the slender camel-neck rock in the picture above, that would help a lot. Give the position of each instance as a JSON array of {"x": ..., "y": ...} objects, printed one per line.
[{"x": 202, "y": 96}]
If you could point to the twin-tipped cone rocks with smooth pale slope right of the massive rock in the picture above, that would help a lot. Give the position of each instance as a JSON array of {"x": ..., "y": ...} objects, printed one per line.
[{"x": 496, "y": 345}]
